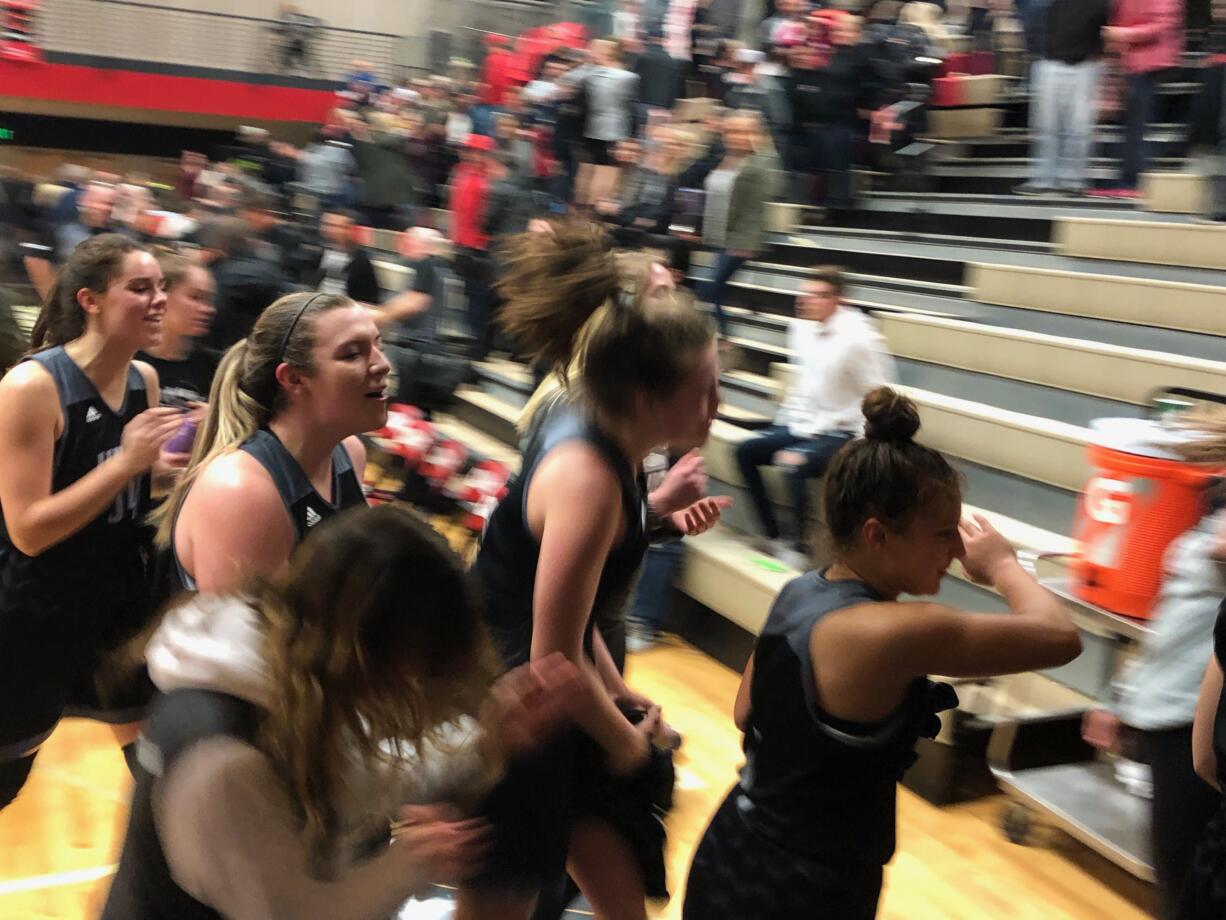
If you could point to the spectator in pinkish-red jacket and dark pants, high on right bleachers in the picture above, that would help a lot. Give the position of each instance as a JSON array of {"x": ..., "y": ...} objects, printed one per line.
[{"x": 1148, "y": 35}]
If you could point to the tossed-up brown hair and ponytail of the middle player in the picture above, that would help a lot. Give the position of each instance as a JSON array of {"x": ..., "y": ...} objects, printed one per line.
[{"x": 572, "y": 304}]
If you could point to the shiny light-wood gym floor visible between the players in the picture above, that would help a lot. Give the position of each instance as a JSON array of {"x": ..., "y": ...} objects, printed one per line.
[{"x": 61, "y": 840}]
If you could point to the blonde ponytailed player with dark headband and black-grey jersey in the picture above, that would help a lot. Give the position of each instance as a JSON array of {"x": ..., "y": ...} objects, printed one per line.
[{"x": 276, "y": 453}]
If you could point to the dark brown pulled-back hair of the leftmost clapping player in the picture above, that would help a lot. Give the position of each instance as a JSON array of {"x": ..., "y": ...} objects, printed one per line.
[{"x": 94, "y": 266}]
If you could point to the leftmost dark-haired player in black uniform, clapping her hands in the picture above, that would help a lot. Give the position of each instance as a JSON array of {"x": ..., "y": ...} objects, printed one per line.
[{"x": 79, "y": 443}]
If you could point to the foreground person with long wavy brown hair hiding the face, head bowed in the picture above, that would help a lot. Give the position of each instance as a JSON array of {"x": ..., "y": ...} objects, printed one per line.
[{"x": 297, "y": 722}]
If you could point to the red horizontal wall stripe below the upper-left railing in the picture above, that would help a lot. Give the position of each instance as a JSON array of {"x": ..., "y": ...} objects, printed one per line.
[{"x": 101, "y": 86}]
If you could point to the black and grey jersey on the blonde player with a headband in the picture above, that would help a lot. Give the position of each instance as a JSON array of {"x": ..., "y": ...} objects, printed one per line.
[{"x": 305, "y": 506}]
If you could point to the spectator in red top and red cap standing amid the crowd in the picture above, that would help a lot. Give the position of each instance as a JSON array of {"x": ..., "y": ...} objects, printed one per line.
[{"x": 470, "y": 194}]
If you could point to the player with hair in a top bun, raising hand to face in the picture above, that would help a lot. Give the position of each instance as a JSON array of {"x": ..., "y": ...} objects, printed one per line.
[{"x": 837, "y": 692}]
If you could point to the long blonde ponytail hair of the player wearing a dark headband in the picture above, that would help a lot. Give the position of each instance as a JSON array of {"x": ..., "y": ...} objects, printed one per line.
[{"x": 246, "y": 394}]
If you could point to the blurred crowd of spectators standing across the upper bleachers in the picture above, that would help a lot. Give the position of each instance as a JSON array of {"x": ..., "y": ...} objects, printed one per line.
[{"x": 670, "y": 147}]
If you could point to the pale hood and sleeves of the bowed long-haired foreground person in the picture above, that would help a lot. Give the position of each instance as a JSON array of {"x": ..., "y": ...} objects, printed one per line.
[{"x": 229, "y": 830}]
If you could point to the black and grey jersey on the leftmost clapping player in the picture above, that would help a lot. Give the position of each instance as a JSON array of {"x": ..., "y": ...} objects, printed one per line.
[{"x": 93, "y": 432}]
